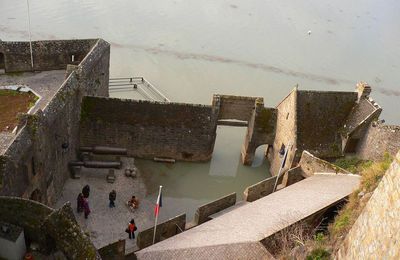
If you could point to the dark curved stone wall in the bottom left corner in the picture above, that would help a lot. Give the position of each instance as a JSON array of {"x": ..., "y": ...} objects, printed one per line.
[{"x": 51, "y": 229}]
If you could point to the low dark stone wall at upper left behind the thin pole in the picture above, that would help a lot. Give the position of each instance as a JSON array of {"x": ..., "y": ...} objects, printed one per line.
[{"x": 47, "y": 55}]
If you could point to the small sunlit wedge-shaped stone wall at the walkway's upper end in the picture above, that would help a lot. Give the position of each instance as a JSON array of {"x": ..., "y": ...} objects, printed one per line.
[{"x": 310, "y": 164}]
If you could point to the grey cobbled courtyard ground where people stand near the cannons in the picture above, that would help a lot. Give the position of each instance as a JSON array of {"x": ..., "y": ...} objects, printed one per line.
[{"x": 106, "y": 225}]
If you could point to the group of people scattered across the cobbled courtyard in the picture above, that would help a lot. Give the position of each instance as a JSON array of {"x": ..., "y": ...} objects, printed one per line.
[{"x": 83, "y": 205}]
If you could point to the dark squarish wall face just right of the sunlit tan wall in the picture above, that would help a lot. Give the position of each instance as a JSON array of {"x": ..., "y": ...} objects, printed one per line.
[{"x": 321, "y": 116}]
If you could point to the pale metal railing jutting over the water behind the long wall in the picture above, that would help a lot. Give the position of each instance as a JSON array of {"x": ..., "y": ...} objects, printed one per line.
[{"x": 140, "y": 85}]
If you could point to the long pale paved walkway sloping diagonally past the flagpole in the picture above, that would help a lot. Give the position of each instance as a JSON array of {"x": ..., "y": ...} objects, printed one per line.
[{"x": 257, "y": 220}]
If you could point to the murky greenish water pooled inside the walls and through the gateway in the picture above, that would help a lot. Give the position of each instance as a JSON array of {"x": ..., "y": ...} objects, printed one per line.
[{"x": 189, "y": 185}]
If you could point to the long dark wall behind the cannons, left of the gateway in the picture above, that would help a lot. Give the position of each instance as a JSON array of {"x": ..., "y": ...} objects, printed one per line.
[{"x": 149, "y": 129}]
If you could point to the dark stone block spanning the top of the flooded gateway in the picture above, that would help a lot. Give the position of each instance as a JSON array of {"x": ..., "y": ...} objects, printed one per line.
[{"x": 234, "y": 107}]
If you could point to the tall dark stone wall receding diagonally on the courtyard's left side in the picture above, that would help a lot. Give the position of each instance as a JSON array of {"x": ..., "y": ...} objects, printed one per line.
[{"x": 37, "y": 161}]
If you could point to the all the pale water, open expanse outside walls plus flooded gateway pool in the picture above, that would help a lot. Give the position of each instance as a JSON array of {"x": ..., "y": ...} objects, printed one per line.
[{"x": 193, "y": 49}]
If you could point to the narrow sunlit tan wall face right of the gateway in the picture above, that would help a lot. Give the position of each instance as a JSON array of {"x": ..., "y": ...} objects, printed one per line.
[{"x": 285, "y": 132}]
